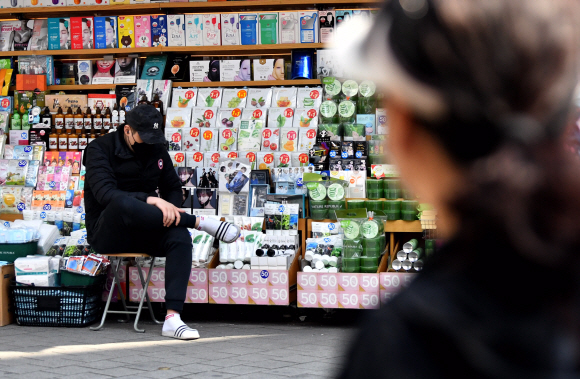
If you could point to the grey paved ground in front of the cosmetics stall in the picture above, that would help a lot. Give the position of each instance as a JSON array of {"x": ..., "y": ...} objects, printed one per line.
[{"x": 227, "y": 349}]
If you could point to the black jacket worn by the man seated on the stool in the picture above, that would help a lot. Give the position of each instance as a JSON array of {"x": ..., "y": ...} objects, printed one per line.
[{"x": 113, "y": 170}]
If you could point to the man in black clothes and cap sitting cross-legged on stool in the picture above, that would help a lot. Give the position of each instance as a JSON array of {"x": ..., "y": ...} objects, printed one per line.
[{"x": 124, "y": 212}]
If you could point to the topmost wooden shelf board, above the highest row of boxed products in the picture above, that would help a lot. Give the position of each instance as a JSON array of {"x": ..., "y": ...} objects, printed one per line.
[{"x": 179, "y": 8}]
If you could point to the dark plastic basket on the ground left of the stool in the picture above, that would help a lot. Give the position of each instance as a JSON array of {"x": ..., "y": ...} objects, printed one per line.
[{"x": 57, "y": 306}]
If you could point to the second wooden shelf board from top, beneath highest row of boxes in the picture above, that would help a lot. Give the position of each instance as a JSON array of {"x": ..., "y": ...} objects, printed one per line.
[{"x": 192, "y": 50}]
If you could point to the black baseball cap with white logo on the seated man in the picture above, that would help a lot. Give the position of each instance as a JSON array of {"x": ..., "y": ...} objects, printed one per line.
[{"x": 148, "y": 122}]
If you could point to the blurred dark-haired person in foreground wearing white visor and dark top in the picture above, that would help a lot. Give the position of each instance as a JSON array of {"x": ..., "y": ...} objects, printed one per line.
[{"x": 479, "y": 95}]
